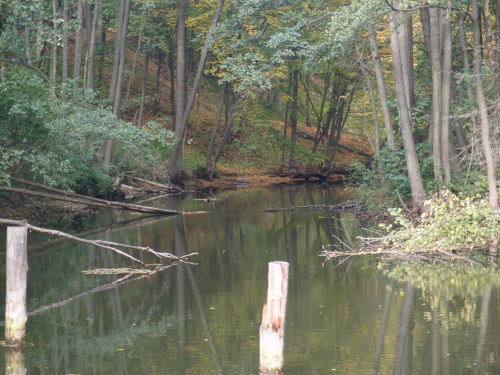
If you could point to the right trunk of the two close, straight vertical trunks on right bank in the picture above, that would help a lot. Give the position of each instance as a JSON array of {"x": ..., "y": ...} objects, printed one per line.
[{"x": 446, "y": 96}]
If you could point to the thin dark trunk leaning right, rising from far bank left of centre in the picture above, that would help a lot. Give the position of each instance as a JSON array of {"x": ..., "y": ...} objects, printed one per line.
[{"x": 176, "y": 158}]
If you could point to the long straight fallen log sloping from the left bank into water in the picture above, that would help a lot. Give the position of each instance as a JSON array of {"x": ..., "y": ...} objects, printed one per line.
[{"x": 75, "y": 198}]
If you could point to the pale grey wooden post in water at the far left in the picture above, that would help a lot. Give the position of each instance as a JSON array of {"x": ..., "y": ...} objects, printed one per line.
[{"x": 17, "y": 272}]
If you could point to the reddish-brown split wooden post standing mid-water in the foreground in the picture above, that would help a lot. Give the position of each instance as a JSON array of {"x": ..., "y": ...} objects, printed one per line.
[{"x": 272, "y": 330}]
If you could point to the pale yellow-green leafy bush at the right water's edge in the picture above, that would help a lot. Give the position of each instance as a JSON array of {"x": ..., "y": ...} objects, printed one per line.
[{"x": 449, "y": 223}]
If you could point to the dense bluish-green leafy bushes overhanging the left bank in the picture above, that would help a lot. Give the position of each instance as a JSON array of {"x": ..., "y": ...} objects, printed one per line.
[{"x": 59, "y": 140}]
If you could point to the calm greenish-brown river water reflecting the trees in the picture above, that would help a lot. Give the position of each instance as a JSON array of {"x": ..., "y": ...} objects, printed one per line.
[{"x": 343, "y": 317}]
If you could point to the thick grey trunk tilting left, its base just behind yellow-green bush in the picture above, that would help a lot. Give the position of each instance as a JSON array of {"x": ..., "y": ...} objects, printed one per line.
[{"x": 416, "y": 184}]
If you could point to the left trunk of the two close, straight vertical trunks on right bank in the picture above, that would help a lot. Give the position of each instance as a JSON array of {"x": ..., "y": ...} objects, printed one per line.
[{"x": 437, "y": 87}]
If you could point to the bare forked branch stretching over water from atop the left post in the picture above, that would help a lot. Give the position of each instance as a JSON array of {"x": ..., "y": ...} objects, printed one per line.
[{"x": 103, "y": 244}]
